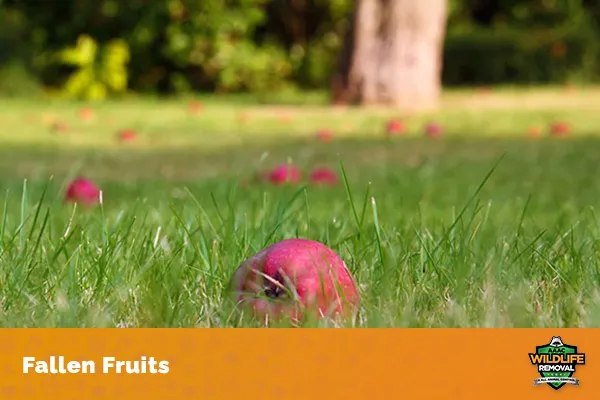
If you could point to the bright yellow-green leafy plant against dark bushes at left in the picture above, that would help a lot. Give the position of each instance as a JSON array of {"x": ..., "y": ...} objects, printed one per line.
[{"x": 97, "y": 73}]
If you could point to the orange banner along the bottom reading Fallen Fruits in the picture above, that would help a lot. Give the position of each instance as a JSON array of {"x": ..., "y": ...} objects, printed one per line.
[{"x": 299, "y": 363}]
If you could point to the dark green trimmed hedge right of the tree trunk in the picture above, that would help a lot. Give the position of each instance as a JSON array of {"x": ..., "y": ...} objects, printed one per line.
[{"x": 520, "y": 56}]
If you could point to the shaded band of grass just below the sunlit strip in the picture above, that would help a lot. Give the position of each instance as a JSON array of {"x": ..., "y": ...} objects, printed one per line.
[{"x": 561, "y": 156}]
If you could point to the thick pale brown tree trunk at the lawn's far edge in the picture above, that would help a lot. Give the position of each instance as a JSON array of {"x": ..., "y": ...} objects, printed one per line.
[{"x": 392, "y": 54}]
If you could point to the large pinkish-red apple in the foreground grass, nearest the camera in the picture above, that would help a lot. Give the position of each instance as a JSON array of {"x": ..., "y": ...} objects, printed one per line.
[{"x": 295, "y": 278}]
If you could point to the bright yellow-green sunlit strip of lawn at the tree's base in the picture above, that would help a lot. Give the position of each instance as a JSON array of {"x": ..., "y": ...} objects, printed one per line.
[{"x": 235, "y": 120}]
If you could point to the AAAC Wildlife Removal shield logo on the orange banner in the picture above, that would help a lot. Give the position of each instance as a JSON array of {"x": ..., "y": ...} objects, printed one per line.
[{"x": 556, "y": 363}]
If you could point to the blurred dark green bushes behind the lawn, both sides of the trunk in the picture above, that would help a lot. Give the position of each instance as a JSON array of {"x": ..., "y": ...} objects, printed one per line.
[{"x": 175, "y": 46}]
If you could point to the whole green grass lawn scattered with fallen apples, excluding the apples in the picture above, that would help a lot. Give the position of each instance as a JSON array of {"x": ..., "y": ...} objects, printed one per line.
[{"x": 484, "y": 227}]
